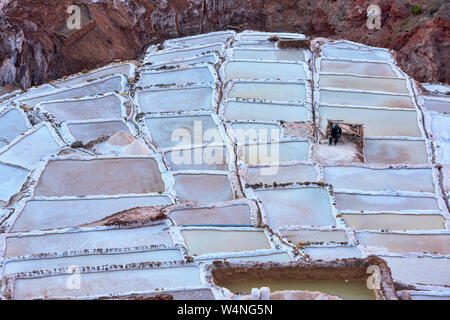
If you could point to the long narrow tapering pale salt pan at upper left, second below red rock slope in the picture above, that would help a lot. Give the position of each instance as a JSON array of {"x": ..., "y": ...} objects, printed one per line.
[{"x": 111, "y": 84}]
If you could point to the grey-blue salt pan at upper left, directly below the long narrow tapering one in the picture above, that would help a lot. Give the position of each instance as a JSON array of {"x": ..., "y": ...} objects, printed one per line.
[{"x": 104, "y": 107}]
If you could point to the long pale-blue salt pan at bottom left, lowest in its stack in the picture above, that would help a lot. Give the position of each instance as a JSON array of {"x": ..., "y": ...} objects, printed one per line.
[{"x": 105, "y": 283}]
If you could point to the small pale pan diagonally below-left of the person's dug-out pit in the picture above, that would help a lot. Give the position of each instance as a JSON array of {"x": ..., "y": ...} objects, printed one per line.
[{"x": 281, "y": 174}]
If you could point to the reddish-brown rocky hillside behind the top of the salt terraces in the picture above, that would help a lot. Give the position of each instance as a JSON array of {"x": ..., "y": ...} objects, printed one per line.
[{"x": 34, "y": 50}]
